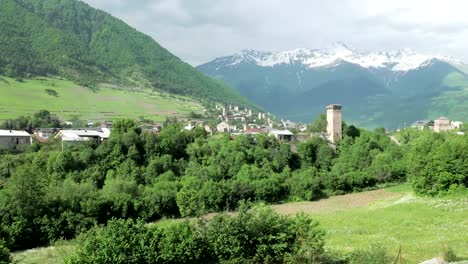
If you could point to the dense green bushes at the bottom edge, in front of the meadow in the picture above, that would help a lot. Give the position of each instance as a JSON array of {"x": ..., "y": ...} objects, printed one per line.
[{"x": 257, "y": 235}]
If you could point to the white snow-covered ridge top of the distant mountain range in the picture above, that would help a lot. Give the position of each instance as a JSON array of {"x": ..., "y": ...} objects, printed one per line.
[{"x": 400, "y": 60}]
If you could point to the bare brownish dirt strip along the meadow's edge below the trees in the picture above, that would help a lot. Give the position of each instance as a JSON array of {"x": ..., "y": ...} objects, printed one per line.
[{"x": 337, "y": 203}]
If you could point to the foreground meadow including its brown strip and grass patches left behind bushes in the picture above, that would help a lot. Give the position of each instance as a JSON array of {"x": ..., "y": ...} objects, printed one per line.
[{"x": 393, "y": 217}]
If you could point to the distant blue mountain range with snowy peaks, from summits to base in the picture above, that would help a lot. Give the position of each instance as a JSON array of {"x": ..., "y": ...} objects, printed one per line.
[{"x": 383, "y": 88}]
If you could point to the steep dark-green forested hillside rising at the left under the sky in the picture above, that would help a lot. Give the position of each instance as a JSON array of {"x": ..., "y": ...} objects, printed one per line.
[{"x": 70, "y": 39}]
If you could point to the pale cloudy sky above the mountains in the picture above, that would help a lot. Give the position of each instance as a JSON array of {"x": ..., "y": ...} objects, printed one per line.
[{"x": 200, "y": 30}]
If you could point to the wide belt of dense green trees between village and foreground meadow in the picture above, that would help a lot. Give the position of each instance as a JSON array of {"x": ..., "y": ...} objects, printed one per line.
[{"x": 48, "y": 194}]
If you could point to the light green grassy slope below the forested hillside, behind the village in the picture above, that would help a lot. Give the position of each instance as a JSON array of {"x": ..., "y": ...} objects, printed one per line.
[{"x": 28, "y": 96}]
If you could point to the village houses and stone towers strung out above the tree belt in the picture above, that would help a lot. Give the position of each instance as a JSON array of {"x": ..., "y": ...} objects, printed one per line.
[{"x": 224, "y": 119}]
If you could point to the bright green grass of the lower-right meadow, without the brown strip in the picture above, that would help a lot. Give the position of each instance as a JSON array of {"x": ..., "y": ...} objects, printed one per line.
[{"x": 419, "y": 225}]
